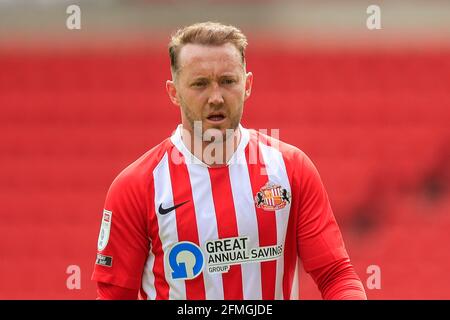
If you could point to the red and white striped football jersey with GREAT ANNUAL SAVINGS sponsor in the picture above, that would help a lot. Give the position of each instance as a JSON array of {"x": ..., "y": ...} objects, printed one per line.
[{"x": 176, "y": 228}]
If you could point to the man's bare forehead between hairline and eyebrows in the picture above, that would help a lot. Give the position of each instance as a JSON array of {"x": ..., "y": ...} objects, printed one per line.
[{"x": 198, "y": 58}]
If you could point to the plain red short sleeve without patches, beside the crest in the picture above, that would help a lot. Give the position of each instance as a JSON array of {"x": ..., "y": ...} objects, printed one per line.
[{"x": 319, "y": 239}]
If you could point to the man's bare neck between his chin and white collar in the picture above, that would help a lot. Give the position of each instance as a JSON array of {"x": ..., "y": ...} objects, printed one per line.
[{"x": 213, "y": 154}]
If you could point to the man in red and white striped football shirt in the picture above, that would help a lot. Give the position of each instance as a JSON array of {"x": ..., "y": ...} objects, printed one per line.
[{"x": 218, "y": 211}]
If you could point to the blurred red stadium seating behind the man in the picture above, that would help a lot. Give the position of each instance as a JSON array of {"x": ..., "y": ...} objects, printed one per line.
[{"x": 374, "y": 123}]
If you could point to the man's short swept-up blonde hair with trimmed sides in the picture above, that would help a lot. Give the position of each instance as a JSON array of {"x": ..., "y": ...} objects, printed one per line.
[{"x": 206, "y": 33}]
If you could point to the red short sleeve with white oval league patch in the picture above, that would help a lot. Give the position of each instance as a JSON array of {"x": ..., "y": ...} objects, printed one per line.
[{"x": 123, "y": 244}]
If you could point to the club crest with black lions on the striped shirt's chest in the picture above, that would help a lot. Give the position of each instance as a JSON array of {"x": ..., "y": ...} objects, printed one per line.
[{"x": 272, "y": 197}]
